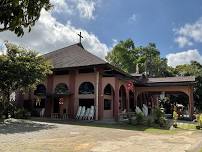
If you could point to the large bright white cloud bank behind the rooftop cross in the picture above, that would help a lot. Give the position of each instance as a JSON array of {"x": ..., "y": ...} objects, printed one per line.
[{"x": 48, "y": 34}]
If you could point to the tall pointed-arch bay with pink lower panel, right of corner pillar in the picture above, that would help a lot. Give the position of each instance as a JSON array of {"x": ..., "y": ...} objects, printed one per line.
[{"x": 108, "y": 101}]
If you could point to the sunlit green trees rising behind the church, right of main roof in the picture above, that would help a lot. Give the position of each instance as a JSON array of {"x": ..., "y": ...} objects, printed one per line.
[{"x": 127, "y": 56}]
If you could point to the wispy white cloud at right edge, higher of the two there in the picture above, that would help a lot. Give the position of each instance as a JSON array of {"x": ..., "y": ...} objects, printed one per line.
[{"x": 189, "y": 33}]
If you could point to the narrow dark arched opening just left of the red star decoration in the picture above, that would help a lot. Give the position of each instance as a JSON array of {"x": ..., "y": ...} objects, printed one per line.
[{"x": 122, "y": 99}]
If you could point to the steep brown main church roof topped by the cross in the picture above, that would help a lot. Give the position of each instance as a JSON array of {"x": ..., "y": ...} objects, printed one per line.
[{"x": 73, "y": 56}]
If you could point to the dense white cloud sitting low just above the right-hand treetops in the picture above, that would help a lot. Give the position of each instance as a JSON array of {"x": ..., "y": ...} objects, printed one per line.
[{"x": 184, "y": 57}]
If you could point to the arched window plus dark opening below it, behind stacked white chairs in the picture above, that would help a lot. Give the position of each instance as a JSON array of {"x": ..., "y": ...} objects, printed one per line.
[{"x": 86, "y": 94}]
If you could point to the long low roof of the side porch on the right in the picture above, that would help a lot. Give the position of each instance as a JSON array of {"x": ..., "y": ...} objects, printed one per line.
[{"x": 172, "y": 79}]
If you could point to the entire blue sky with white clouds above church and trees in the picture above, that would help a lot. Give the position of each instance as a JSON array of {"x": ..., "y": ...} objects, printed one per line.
[{"x": 174, "y": 25}]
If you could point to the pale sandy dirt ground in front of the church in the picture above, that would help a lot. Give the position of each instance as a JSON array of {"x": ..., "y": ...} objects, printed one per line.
[{"x": 29, "y": 136}]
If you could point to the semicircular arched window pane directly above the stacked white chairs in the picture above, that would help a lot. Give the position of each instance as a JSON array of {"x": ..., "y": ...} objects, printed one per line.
[{"x": 86, "y": 88}]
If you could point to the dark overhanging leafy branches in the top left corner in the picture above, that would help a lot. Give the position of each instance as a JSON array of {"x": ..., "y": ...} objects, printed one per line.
[{"x": 18, "y": 14}]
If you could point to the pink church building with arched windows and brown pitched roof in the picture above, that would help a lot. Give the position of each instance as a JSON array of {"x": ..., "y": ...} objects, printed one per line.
[{"x": 82, "y": 79}]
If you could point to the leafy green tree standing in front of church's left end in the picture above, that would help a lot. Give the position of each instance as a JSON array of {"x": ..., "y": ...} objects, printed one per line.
[{"x": 20, "y": 69}]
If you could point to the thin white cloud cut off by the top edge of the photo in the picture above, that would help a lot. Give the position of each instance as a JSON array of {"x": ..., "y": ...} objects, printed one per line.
[{"x": 85, "y": 8}]
